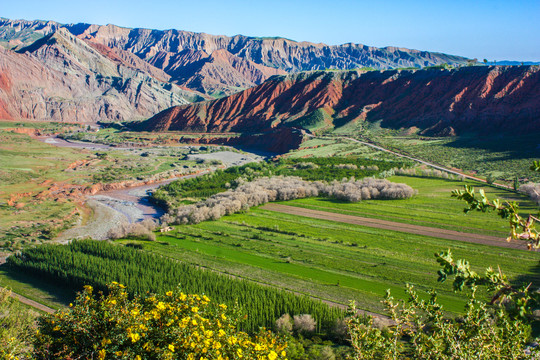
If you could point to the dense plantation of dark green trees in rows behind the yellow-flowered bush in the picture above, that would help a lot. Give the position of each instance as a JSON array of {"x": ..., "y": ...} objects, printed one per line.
[{"x": 99, "y": 263}]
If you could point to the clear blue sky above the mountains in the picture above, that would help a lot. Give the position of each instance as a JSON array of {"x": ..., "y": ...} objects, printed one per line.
[{"x": 482, "y": 29}]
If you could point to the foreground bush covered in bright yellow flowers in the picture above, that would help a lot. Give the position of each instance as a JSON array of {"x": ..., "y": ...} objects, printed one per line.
[{"x": 169, "y": 326}]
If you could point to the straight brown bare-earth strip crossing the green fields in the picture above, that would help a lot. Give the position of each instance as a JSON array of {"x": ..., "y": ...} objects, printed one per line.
[{"x": 396, "y": 226}]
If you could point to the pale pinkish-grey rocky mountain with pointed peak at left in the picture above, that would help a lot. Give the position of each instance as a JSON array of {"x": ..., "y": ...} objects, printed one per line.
[{"x": 60, "y": 77}]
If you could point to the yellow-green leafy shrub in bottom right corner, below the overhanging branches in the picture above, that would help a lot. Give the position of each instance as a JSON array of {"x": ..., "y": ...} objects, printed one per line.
[{"x": 481, "y": 333}]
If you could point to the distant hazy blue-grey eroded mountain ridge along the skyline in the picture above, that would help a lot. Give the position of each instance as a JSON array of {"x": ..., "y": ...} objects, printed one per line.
[{"x": 222, "y": 65}]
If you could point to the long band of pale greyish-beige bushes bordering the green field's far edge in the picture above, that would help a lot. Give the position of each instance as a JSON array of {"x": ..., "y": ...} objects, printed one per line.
[{"x": 280, "y": 188}]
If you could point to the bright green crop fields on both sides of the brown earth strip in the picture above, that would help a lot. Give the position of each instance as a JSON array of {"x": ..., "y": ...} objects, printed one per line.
[{"x": 339, "y": 262}]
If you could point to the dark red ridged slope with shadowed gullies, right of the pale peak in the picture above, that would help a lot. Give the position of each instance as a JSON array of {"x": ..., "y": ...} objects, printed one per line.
[{"x": 441, "y": 102}]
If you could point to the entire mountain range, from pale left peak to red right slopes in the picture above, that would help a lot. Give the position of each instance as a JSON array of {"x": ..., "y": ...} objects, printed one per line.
[{"x": 267, "y": 88}]
